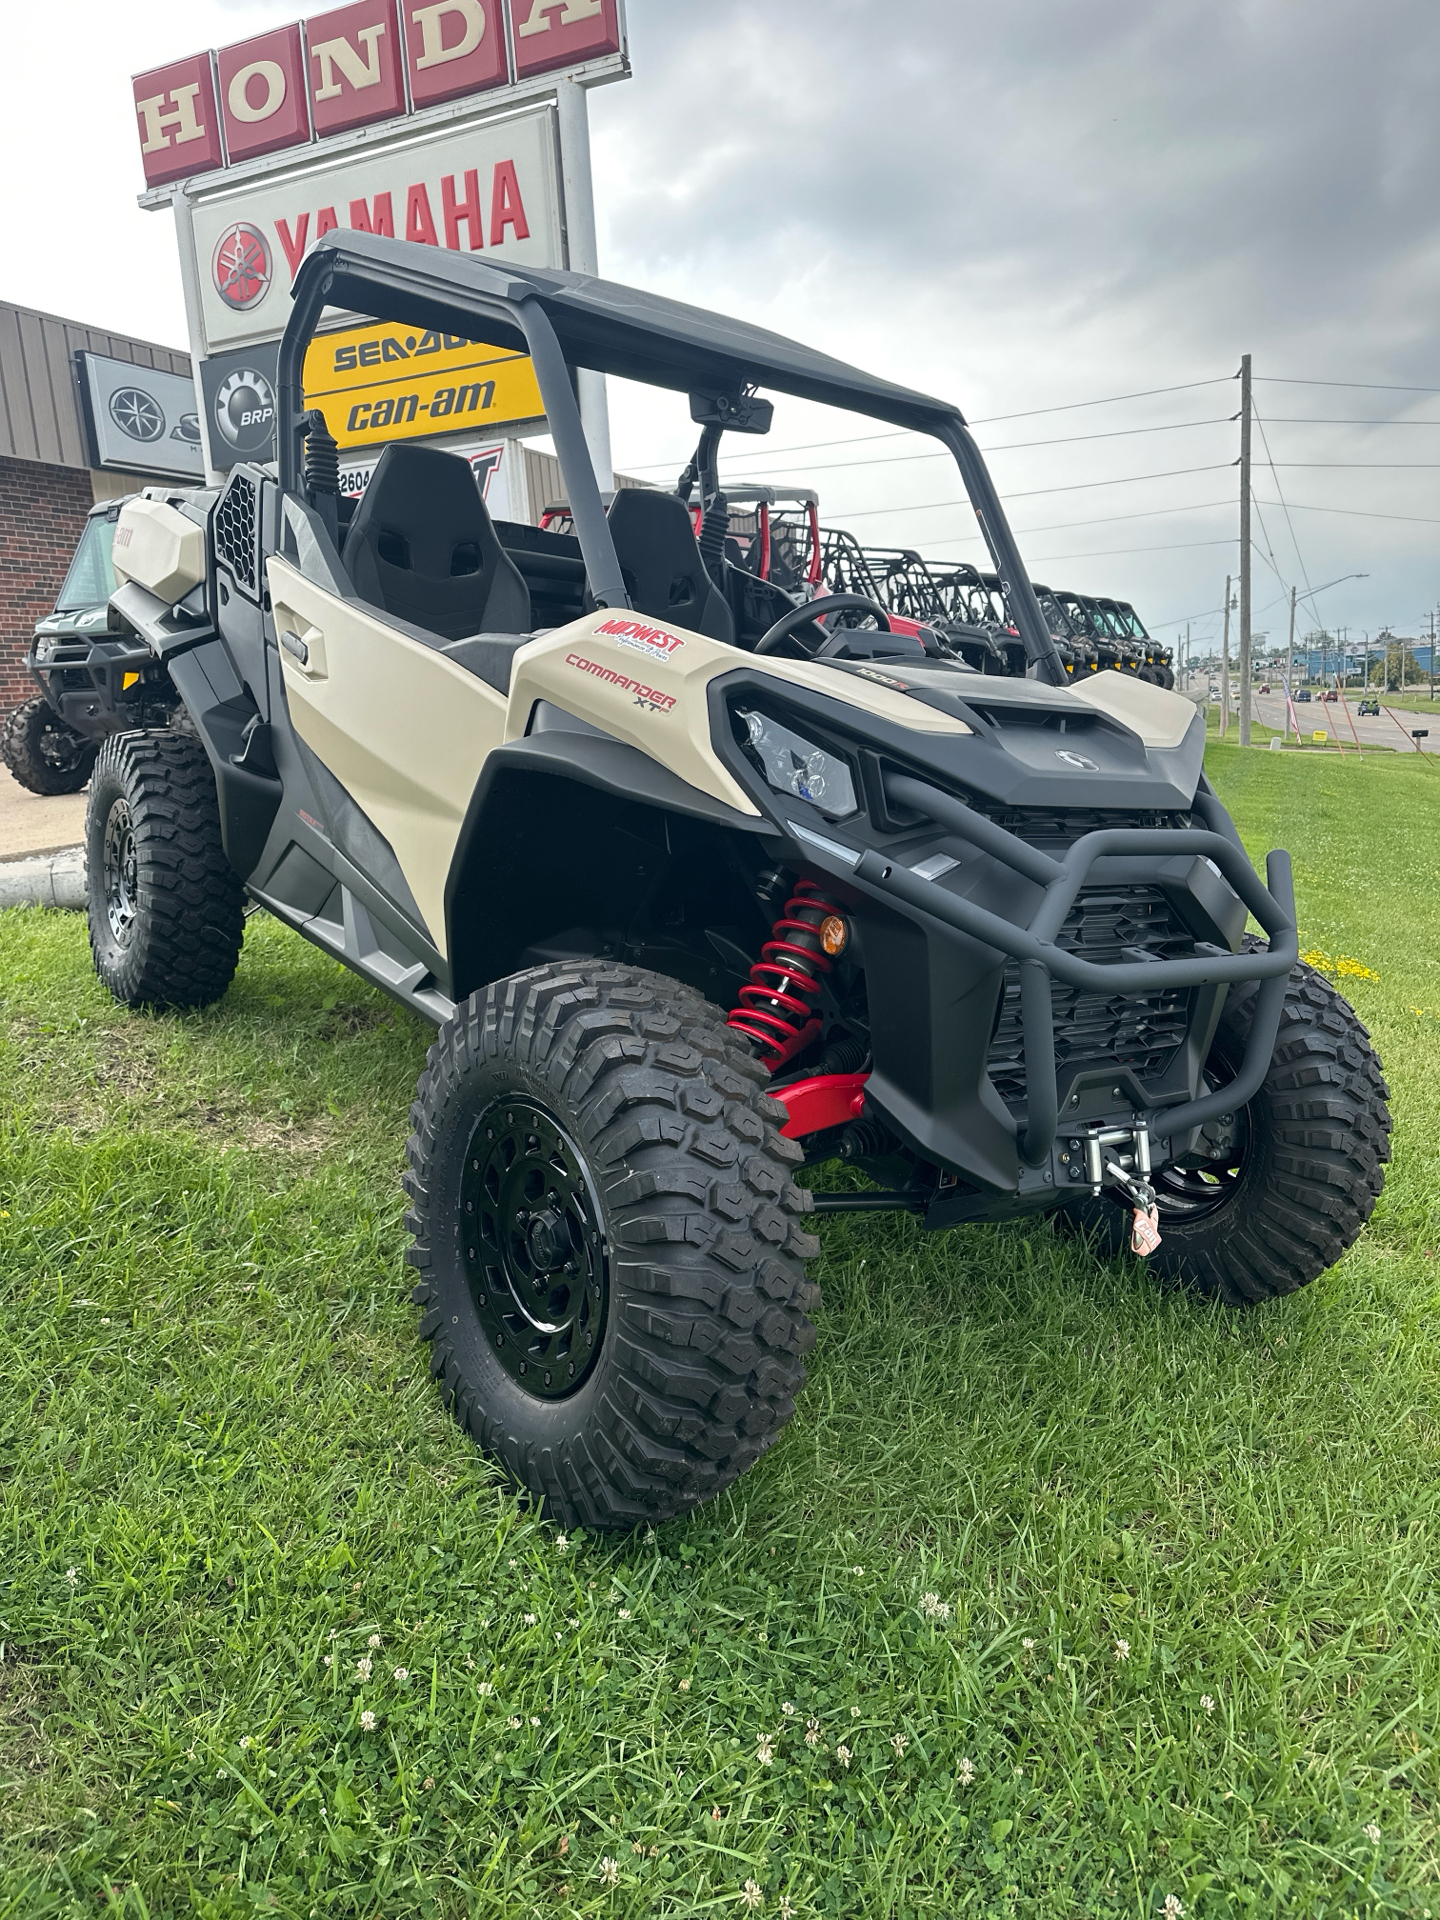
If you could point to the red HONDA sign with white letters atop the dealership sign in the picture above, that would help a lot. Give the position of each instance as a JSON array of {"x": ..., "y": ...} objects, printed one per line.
[{"x": 360, "y": 64}]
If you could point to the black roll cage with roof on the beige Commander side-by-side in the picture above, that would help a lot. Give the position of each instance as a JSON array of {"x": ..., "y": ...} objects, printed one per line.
[{"x": 567, "y": 322}]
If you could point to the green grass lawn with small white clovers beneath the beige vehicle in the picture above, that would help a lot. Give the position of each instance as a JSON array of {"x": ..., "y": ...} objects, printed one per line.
[{"x": 1184, "y": 1564}]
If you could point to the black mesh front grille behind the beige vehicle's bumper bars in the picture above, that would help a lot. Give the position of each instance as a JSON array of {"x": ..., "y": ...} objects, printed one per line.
[{"x": 1109, "y": 926}]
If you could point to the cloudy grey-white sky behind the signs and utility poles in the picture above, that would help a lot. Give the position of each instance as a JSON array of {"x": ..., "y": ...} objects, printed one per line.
[{"x": 1020, "y": 208}]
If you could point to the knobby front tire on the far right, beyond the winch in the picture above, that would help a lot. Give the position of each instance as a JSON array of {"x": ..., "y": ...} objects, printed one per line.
[{"x": 1307, "y": 1166}]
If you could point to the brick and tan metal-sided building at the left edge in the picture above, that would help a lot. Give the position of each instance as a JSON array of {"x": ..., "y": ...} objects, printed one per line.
[{"x": 47, "y": 483}]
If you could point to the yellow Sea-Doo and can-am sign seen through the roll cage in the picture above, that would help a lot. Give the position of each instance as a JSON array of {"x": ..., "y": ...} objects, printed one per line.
[{"x": 400, "y": 383}]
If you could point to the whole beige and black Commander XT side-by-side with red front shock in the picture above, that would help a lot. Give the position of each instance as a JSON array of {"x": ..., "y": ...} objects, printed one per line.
[{"x": 698, "y": 890}]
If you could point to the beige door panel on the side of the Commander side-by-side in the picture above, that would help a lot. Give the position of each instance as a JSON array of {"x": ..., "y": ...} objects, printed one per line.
[{"x": 400, "y": 727}]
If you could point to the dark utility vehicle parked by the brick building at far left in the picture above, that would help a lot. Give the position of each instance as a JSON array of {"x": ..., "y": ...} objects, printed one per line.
[{"x": 95, "y": 675}]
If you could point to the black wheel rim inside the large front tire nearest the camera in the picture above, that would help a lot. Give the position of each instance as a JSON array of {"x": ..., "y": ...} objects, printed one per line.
[{"x": 535, "y": 1249}]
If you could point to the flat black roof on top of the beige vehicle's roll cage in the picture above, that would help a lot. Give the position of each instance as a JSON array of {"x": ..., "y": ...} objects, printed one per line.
[{"x": 598, "y": 324}]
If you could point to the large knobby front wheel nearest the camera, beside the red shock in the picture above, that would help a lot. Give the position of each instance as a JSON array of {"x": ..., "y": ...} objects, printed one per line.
[{"x": 617, "y": 1103}]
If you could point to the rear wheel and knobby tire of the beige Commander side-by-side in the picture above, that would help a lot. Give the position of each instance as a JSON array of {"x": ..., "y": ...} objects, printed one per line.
[{"x": 166, "y": 907}]
